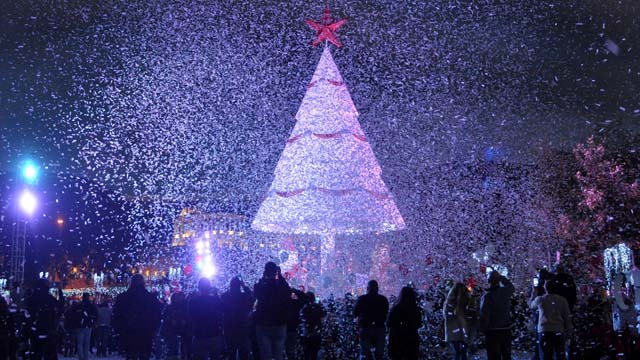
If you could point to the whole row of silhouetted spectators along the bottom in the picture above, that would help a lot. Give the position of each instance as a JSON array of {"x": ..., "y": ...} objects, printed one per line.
[{"x": 274, "y": 321}]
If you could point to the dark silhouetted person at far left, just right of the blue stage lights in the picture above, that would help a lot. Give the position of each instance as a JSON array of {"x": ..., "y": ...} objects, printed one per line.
[{"x": 44, "y": 311}]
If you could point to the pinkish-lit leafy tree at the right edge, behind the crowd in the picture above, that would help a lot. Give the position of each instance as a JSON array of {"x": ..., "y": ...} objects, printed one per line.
[{"x": 605, "y": 211}]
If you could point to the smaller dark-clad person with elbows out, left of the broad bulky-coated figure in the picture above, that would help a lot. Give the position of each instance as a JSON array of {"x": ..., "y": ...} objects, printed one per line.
[{"x": 80, "y": 320}]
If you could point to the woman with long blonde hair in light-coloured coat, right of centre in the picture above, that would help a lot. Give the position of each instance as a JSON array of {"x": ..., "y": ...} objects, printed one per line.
[{"x": 456, "y": 329}]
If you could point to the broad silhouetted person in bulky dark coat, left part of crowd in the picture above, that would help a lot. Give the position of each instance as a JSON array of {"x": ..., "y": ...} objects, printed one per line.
[{"x": 136, "y": 318}]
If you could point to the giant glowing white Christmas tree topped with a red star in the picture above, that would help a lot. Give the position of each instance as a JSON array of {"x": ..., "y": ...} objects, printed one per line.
[{"x": 327, "y": 181}]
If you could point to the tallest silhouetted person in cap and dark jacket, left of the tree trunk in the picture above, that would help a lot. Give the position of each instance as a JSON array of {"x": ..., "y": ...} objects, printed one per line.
[{"x": 272, "y": 294}]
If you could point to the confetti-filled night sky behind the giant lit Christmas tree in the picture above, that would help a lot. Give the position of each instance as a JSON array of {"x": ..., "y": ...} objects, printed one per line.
[{"x": 190, "y": 103}]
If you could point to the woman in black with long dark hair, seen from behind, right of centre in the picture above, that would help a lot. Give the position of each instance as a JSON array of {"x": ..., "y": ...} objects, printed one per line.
[{"x": 405, "y": 318}]
